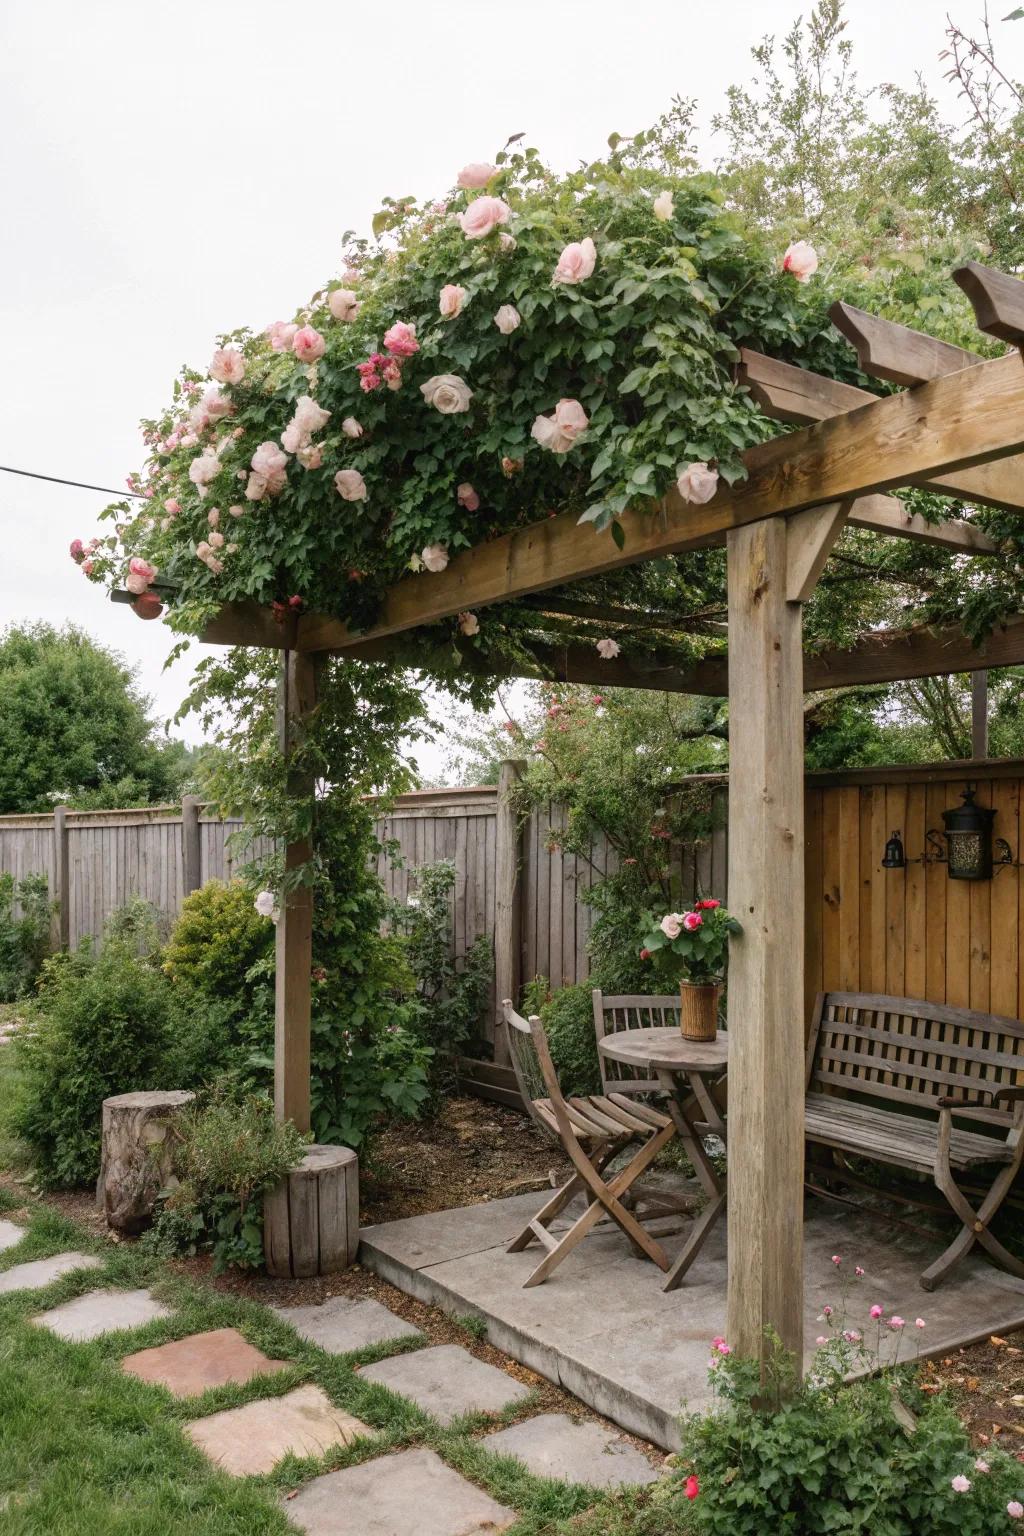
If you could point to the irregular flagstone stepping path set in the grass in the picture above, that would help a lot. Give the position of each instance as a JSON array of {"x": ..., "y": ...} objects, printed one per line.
[{"x": 403, "y": 1494}]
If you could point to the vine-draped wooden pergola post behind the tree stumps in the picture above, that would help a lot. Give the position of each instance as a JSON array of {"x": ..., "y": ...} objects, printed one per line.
[{"x": 297, "y": 698}]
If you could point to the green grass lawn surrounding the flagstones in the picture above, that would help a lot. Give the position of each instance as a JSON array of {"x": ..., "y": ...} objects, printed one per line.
[{"x": 90, "y": 1451}]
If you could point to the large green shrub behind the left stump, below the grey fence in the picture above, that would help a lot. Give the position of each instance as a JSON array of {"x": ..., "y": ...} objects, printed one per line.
[{"x": 102, "y": 1028}]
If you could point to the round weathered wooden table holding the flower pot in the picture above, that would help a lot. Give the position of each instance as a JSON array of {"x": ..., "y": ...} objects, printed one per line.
[{"x": 689, "y": 1071}]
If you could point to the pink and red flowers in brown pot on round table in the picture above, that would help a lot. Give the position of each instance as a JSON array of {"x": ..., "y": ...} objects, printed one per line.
[{"x": 690, "y": 950}]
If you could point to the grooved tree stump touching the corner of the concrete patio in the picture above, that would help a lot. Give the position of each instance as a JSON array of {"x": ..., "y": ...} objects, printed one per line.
[{"x": 311, "y": 1223}]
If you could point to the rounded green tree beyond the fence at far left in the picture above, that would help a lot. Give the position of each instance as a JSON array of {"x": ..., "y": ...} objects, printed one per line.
[{"x": 76, "y": 729}]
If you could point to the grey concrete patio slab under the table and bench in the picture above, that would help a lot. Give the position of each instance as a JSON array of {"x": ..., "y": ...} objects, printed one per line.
[{"x": 604, "y": 1329}]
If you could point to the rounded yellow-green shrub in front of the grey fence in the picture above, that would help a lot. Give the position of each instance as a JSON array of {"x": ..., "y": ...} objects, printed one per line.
[{"x": 217, "y": 941}]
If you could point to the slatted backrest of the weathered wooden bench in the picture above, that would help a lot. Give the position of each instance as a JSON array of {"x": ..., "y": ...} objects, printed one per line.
[{"x": 914, "y": 1053}]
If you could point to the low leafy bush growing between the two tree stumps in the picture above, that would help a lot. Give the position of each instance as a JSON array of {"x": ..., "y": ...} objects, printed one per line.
[{"x": 228, "y": 1156}]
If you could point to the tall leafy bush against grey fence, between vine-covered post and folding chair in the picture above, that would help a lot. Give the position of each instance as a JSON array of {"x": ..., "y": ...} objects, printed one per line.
[{"x": 452, "y": 998}]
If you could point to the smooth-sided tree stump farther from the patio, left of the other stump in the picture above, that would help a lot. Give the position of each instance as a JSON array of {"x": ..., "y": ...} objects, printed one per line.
[{"x": 137, "y": 1156}]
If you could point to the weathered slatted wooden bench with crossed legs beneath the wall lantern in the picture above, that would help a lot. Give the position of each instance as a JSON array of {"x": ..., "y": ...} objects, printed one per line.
[{"x": 927, "y": 1088}]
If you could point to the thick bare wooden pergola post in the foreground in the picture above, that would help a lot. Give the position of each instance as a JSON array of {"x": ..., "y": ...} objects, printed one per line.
[{"x": 767, "y": 1030}]
